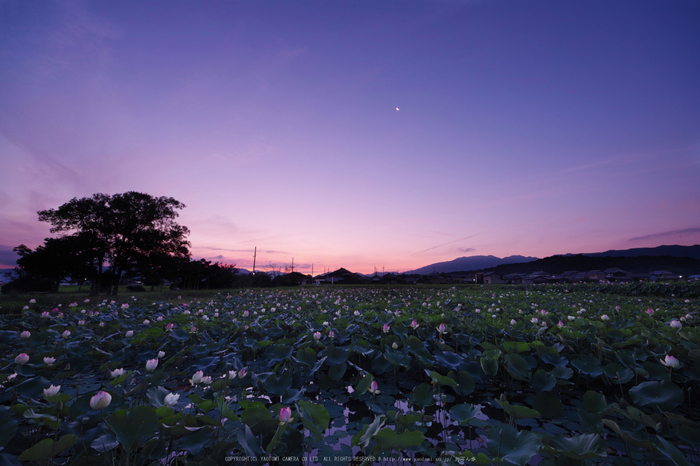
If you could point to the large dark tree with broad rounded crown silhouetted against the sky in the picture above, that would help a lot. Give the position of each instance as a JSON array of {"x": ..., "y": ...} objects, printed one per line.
[{"x": 119, "y": 234}]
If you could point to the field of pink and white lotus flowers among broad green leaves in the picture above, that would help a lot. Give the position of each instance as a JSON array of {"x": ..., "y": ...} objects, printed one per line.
[{"x": 332, "y": 375}]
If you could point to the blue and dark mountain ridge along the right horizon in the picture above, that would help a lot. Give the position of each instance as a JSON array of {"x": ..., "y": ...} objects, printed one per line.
[{"x": 680, "y": 258}]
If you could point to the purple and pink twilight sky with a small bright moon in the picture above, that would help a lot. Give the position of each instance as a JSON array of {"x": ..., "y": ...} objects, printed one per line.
[{"x": 359, "y": 134}]
